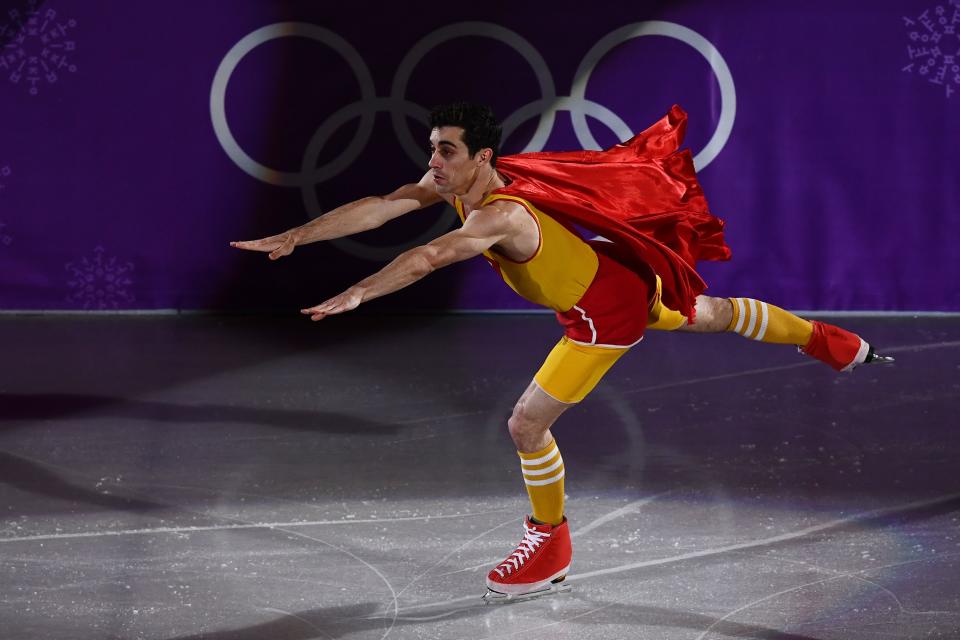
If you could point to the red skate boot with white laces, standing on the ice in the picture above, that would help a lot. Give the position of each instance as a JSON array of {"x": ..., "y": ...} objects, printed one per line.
[{"x": 541, "y": 561}]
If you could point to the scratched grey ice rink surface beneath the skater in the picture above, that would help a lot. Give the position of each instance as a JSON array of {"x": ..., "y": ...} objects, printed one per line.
[{"x": 247, "y": 478}]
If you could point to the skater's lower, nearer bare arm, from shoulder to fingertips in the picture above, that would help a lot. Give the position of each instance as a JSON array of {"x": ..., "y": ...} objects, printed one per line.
[{"x": 483, "y": 229}]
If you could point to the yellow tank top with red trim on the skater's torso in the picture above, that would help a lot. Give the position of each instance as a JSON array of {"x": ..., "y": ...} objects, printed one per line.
[{"x": 558, "y": 274}]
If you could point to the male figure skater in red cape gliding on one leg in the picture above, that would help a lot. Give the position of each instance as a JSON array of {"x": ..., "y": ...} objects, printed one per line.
[{"x": 518, "y": 212}]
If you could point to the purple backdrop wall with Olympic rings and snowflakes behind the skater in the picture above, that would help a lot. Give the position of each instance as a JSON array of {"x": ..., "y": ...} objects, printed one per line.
[{"x": 137, "y": 139}]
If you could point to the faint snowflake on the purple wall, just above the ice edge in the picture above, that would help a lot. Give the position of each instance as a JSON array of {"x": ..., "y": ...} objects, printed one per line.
[{"x": 100, "y": 282}]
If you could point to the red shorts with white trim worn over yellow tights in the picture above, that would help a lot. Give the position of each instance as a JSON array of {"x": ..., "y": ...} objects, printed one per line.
[{"x": 613, "y": 311}]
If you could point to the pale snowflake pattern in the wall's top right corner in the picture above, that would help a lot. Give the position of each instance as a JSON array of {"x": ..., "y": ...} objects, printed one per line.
[{"x": 933, "y": 46}]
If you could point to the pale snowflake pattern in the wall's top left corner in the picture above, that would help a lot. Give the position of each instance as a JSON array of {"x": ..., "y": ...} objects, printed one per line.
[{"x": 37, "y": 48}]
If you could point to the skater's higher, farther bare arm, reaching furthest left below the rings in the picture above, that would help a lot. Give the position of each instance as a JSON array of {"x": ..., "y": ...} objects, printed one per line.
[{"x": 354, "y": 217}]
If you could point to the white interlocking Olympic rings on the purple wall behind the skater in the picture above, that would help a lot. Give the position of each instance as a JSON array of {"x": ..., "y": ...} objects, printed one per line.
[{"x": 400, "y": 109}]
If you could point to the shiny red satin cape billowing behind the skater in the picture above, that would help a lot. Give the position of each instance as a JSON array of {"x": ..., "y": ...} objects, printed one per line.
[{"x": 642, "y": 194}]
